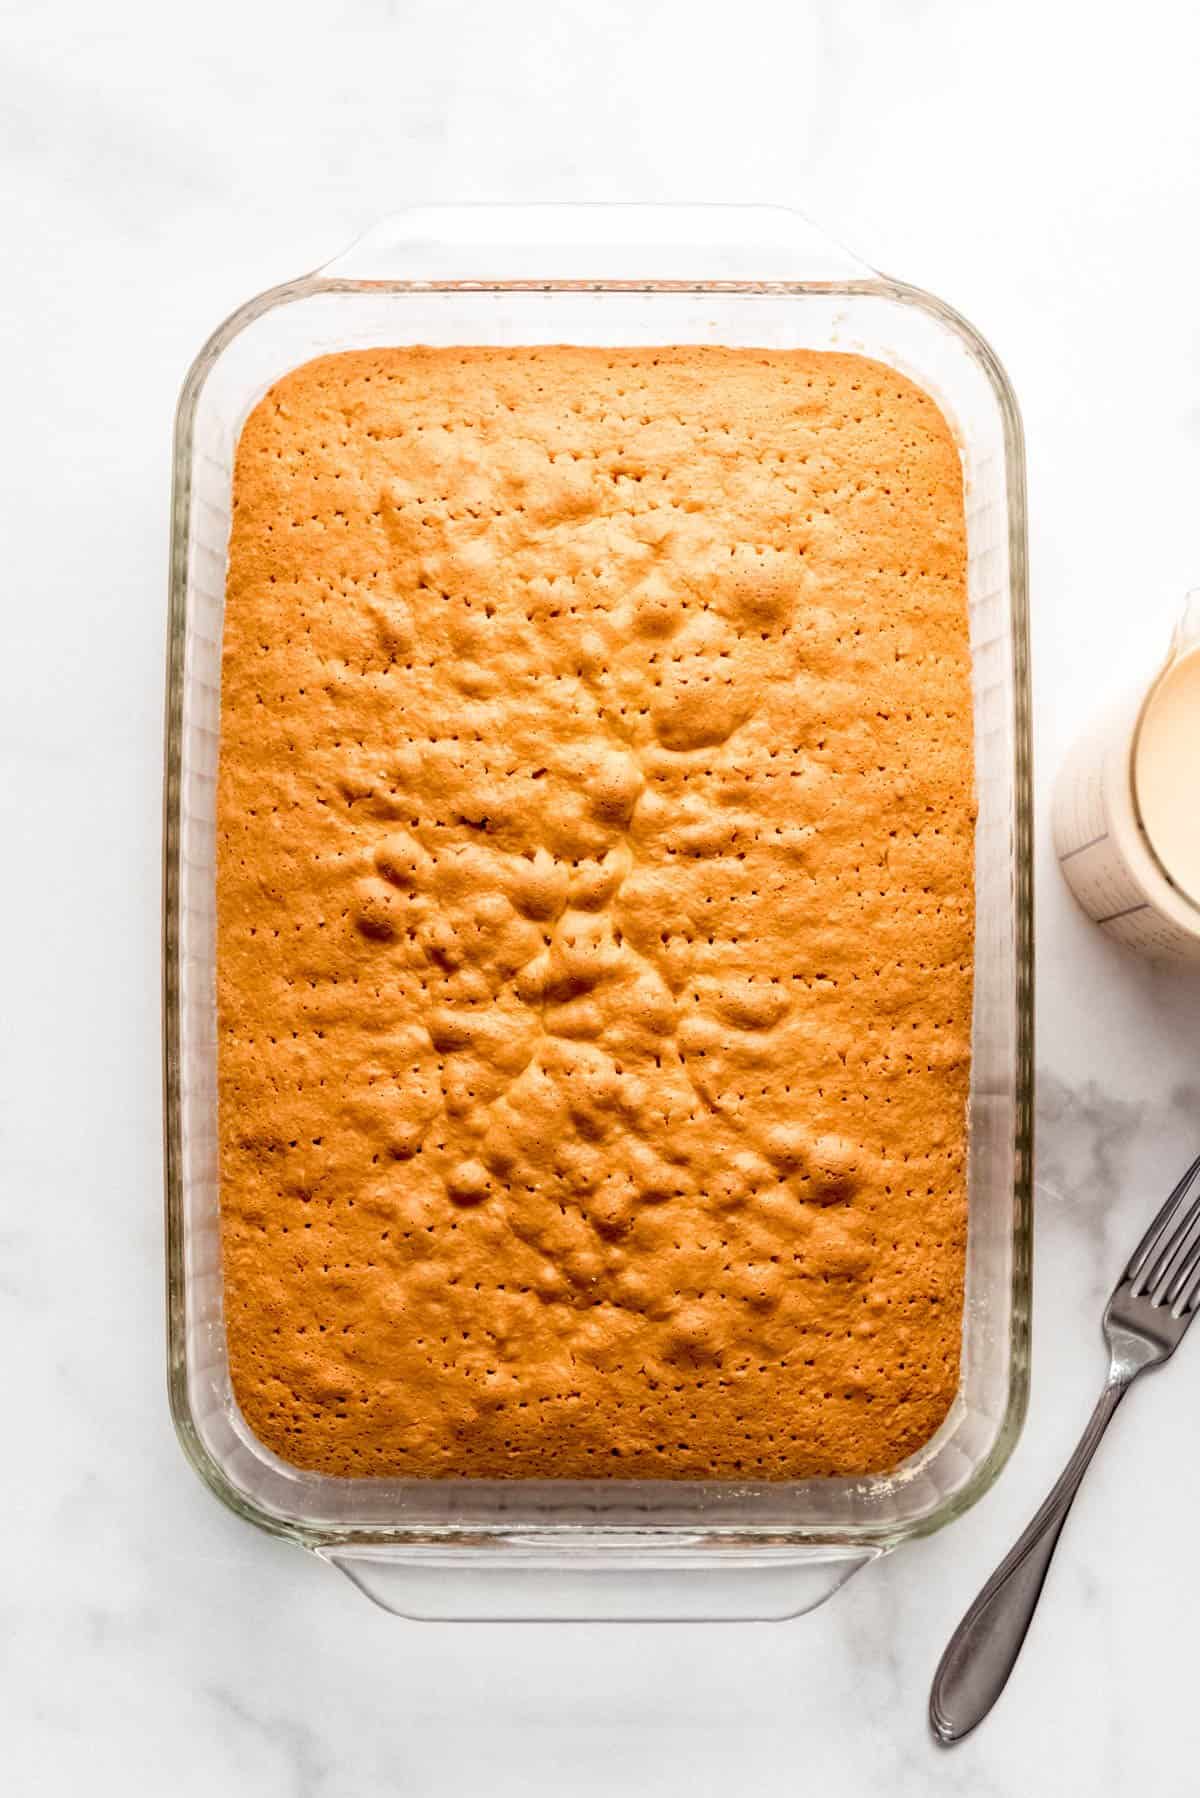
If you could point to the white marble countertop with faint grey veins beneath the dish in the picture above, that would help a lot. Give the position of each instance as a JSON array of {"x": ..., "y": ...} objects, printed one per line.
[{"x": 1039, "y": 168}]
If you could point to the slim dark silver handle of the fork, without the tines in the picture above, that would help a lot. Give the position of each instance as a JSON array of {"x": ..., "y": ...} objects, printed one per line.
[{"x": 983, "y": 1650}]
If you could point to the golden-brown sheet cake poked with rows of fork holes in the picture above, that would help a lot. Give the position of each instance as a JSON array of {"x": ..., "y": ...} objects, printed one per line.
[{"x": 595, "y": 893}]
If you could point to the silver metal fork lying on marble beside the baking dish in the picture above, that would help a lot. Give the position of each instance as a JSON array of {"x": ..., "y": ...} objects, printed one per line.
[{"x": 1145, "y": 1322}]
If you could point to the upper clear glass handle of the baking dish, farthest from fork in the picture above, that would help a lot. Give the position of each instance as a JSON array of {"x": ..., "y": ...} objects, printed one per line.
[{"x": 636, "y": 244}]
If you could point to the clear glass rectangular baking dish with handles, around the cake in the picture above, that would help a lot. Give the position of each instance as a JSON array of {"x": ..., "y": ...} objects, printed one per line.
[{"x": 613, "y": 276}]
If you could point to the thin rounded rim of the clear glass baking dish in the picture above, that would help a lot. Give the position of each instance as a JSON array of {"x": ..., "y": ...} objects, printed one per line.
[{"x": 686, "y": 1536}]
